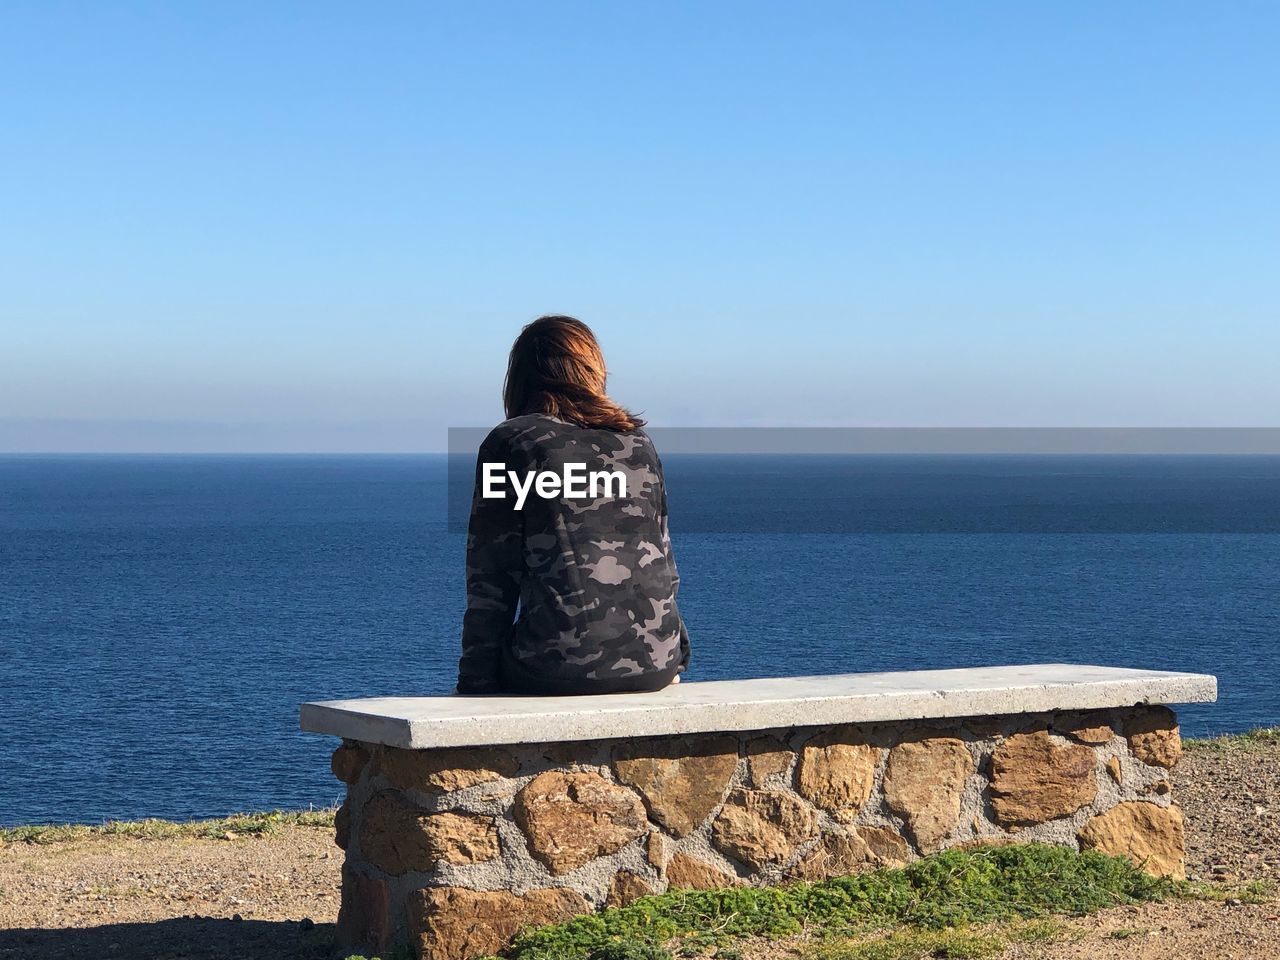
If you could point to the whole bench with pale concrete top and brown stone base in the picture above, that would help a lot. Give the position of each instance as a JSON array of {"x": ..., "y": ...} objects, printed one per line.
[{"x": 470, "y": 817}]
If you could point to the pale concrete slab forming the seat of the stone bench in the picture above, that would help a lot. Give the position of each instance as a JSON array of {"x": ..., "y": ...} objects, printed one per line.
[{"x": 422, "y": 723}]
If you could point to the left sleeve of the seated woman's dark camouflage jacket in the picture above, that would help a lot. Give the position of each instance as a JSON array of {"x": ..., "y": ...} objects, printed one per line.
[{"x": 495, "y": 573}]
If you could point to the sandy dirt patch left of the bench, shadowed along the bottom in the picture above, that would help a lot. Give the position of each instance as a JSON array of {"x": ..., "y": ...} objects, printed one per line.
[{"x": 249, "y": 899}]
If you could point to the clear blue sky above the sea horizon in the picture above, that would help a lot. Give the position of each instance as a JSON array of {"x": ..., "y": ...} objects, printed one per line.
[{"x": 319, "y": 226}]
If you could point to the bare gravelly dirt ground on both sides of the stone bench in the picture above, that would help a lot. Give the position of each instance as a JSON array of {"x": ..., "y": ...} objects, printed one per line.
[{"x": 276, "y": 898}]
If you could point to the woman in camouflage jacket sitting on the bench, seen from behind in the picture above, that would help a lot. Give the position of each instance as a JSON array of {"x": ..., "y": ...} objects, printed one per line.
[{"x": 569, "y": 595}]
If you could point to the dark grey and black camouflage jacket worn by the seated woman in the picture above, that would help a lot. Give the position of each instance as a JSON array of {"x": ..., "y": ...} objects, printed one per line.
[{"x": 577, "y": 591}]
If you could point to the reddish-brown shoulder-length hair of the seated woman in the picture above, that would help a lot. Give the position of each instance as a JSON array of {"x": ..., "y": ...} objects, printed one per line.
[{"x": 556, "y": 368}]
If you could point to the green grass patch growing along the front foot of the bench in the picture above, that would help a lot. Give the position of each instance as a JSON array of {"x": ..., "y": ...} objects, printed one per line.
[{"x": 936, "y": 899}]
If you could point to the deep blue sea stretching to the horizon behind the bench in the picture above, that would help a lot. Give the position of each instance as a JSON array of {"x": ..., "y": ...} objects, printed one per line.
[{"x": 163, "y": 618}]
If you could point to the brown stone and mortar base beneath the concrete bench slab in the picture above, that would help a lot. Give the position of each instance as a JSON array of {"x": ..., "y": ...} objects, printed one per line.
[{"x": 455, "y": 849}]
